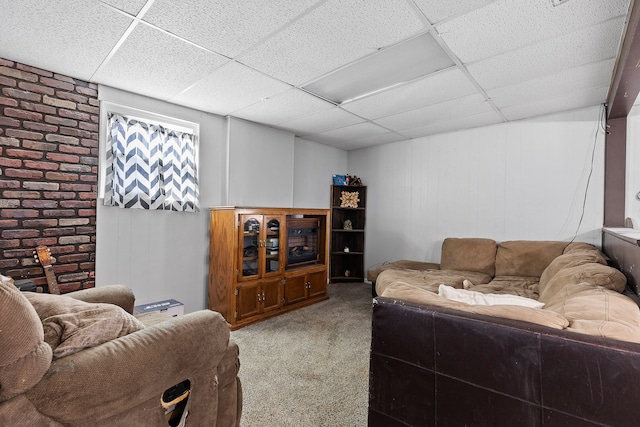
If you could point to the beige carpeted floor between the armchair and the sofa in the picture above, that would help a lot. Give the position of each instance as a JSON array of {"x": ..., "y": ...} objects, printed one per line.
[{"x": 309, "y": 367}]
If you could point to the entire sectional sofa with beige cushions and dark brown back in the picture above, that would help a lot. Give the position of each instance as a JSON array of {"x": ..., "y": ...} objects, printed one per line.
[{"x": 438, "y": 361}]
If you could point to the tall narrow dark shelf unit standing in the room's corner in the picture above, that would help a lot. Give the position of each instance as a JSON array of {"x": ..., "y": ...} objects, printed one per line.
[{"x": 348, "y": 218}]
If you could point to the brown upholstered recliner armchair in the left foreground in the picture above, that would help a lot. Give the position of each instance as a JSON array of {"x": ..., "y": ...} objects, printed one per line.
[{"x": 82, "y": 359}]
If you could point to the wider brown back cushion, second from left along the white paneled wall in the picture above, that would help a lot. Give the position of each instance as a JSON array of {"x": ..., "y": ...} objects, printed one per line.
[{"x": 526, "y": 258}]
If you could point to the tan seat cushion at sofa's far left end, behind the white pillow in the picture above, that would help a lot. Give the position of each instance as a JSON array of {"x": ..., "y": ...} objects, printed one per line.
[{"x": 430, "y": 279}]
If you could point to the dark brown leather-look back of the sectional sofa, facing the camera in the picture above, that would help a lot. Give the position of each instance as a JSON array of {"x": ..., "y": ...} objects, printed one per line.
[{"x": 436, "y": 366}]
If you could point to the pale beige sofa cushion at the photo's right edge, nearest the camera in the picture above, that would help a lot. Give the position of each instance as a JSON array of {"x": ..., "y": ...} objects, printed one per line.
[{"x": 595, "y": 310}]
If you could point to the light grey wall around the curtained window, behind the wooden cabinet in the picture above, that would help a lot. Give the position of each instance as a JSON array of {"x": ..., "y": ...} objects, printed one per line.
[{"x": 162, "y": 255}]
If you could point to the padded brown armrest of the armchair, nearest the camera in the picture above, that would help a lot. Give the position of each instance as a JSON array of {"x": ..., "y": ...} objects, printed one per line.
[{"x": 123, "y": 373}]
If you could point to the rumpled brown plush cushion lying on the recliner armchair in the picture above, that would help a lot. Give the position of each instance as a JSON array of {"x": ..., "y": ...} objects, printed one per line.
[{"x": 72, "y": 325}]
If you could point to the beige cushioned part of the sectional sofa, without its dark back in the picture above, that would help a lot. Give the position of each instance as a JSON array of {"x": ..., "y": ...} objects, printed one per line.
[{"x": 580, "y": 292}]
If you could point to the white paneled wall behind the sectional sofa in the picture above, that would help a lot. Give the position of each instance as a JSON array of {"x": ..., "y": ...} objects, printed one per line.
[{"x": 518, "y": 180}]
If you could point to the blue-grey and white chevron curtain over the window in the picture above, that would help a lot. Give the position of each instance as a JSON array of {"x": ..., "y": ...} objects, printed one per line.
[{"x": 150, "y": 166}]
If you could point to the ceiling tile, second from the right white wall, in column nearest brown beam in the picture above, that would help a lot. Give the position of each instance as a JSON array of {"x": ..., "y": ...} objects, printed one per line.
[{"x": 588, "y": 76}]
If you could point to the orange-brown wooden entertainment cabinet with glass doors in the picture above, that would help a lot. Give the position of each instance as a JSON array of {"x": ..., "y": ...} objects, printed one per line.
[{"x": 265, "y": 261}]
